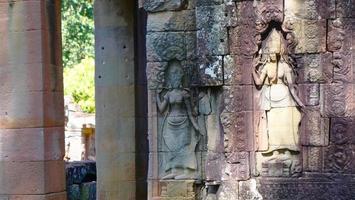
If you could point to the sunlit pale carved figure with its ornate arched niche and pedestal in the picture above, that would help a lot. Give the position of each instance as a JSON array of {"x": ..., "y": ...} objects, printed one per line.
[{"x": 277, "y": 132}]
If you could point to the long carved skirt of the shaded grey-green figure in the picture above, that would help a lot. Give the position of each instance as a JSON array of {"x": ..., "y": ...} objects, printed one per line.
[{"x": 179, "y": 143}]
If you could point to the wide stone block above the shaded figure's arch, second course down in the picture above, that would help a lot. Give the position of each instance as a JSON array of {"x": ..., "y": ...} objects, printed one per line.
[{"x": 172, "y": 21}]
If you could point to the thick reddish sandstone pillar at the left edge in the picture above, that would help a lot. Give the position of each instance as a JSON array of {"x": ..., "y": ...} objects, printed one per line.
[{"x": 31, "y": 101}]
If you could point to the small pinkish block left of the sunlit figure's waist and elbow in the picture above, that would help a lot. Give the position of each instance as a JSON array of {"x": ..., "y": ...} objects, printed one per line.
[{"x": 238, "y": 98}]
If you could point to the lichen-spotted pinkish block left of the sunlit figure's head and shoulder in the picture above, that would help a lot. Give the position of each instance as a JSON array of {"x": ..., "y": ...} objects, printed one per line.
[{"x": 237, "y": 70}]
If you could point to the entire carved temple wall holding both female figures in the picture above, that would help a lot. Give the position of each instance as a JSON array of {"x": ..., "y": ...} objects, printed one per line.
[{"x": 251, "y": 99}]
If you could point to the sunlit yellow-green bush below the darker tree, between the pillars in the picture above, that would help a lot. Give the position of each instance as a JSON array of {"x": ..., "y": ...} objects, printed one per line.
[{"x": 79, "y": 84}]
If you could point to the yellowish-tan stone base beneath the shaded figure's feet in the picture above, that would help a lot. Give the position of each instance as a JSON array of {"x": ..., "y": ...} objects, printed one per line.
[{"x": 176, "y": 190}]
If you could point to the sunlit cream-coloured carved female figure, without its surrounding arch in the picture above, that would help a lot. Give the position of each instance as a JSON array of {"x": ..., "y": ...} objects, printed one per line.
[{"x": 279, "y": 124}]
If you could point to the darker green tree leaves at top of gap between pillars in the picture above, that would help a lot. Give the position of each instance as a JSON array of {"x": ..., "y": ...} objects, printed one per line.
[{"x": 77, "y": 31}]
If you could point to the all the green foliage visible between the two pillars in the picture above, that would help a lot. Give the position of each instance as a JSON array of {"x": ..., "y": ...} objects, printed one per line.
[{"x": 78, "y": 52}]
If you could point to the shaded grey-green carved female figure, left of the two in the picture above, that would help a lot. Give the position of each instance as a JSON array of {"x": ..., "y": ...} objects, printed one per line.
[{"x": 179, "y": 128}]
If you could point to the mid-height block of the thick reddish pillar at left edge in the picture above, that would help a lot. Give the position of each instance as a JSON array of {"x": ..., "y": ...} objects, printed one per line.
[{"x": 33, "y": 109}]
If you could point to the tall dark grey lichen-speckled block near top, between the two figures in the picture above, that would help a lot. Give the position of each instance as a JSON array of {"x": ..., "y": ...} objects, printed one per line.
[{"x": 212, "y": 36}]
